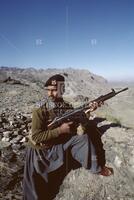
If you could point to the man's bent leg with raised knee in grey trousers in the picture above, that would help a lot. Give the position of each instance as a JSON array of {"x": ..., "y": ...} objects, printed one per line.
[{"x": 83, "y": 150}]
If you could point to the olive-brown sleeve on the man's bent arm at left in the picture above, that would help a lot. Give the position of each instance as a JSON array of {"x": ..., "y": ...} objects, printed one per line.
[{"x": 40, "y": 133}]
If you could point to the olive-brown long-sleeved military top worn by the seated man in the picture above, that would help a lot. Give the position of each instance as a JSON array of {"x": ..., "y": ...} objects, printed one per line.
[{"x": 42, "y": 115}]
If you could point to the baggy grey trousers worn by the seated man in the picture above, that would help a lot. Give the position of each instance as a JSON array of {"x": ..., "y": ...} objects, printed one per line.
[{"x": 41, "y": 163}]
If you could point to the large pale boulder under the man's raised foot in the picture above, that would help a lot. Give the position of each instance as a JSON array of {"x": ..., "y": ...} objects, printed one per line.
[{"x": 80, "y": 184}]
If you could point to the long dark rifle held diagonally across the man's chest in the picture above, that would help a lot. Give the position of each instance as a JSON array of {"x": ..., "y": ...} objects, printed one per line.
[{"x": 76, "y": 114}]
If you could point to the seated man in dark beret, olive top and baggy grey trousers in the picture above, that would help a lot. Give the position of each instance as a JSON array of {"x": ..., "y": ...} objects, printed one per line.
[{"x": 52, "y": 151}]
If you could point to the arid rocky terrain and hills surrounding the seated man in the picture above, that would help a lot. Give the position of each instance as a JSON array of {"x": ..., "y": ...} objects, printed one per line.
[{"x": 21, "y": 89}]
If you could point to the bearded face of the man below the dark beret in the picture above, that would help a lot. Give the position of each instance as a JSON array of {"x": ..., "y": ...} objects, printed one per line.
[{"x": 55, "y": 92}]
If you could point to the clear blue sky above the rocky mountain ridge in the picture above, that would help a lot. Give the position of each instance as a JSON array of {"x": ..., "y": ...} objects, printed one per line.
[{"x": 97, "y": 35}]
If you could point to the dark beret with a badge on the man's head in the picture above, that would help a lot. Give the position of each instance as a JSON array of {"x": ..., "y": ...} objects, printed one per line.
[{"x": 54, "y": 79}]
